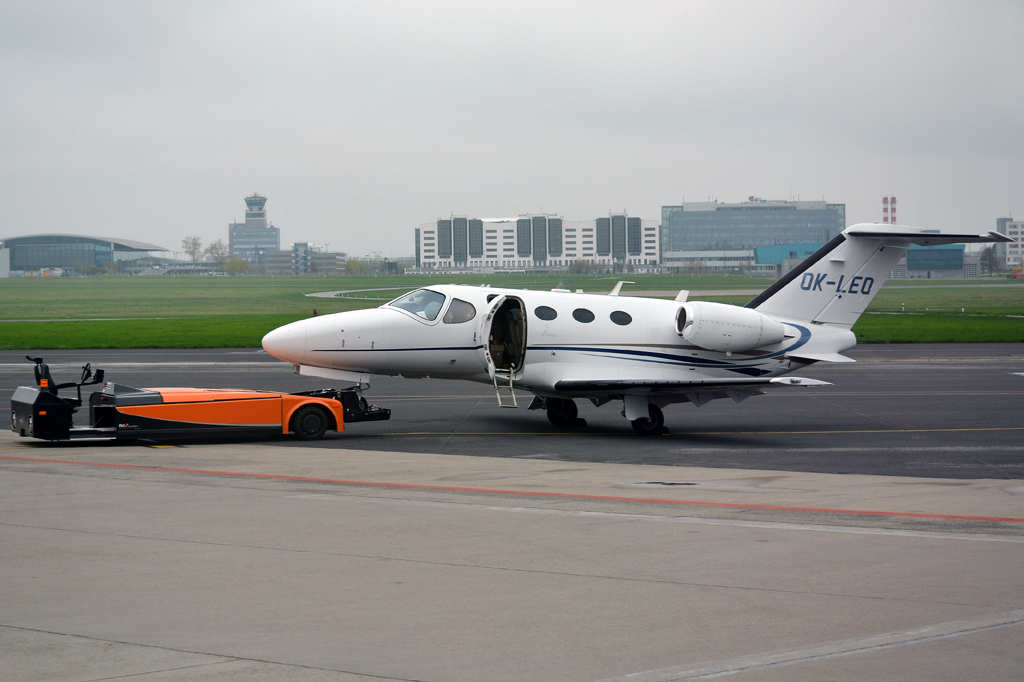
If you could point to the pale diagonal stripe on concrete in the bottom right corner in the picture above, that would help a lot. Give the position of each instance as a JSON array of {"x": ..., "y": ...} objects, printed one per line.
[{"x": 843, "y": 648}]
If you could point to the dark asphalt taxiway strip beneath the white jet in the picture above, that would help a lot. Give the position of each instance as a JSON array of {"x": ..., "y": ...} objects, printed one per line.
[{"x": 918, "y": 410}]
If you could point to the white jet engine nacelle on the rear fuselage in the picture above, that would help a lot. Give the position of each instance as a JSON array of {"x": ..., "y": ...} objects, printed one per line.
[{"x": 727, "y": 328}]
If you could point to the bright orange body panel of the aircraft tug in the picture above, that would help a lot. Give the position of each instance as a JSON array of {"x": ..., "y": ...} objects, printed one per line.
[{"x": 235, "y": 408}]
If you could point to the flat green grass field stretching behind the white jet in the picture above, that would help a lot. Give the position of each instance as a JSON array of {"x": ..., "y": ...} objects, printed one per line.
[{"x": 216, "y": 313}]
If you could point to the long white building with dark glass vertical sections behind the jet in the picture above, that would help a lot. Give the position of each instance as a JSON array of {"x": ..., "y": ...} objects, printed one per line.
[{"x": 537, "y": 242}]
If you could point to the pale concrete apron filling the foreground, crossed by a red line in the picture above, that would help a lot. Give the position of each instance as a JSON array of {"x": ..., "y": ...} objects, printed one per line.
[{"x": 249, "y": 562}]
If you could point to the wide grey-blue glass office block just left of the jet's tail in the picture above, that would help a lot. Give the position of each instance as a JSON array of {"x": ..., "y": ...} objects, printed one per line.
[{"x": 717, "y": 227}]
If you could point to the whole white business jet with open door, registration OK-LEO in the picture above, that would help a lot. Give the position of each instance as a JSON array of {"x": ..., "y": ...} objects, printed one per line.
[{"x": 650, "y": 354}]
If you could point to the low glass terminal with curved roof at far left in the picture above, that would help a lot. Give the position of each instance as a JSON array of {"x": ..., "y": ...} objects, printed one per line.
[{"x": 67, "y": 254}]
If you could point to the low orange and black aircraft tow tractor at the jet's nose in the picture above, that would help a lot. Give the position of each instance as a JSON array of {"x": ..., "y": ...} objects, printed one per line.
[{"x": 124, "y": 413}]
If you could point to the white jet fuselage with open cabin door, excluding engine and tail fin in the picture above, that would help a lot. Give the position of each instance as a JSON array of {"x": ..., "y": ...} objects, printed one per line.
[{"x": 565, "y": 337}]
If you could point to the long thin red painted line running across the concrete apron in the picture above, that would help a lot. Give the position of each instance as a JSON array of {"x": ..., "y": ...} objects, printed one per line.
[{"x": 535, "y": 494}]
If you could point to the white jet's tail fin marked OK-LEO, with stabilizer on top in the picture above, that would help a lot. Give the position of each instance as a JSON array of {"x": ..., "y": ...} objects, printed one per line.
[{"x": 838, "y": 282}]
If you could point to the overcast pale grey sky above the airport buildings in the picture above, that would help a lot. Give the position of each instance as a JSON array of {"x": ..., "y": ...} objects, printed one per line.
[{"x": 360, "y": 121}]
